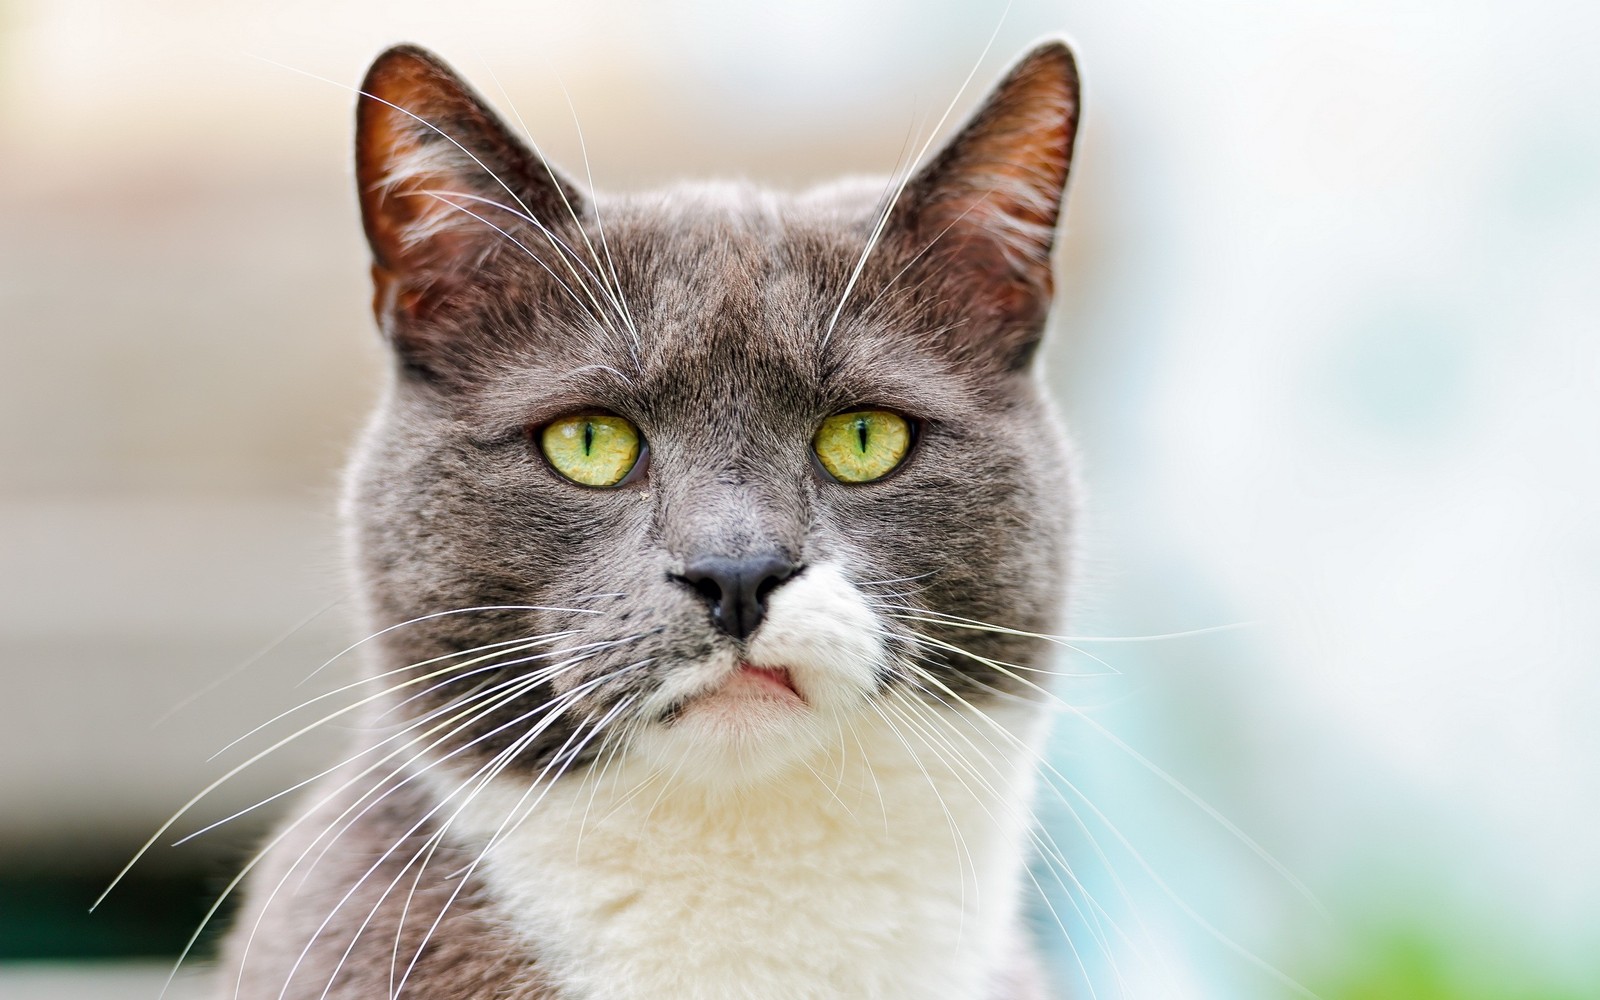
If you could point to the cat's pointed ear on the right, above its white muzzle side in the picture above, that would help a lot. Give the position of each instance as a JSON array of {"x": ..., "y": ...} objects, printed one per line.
[{"x": 986, "y": 207}]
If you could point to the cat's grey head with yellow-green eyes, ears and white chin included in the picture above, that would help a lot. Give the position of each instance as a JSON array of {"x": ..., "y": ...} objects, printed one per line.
[{"x": 711, "y": 470}]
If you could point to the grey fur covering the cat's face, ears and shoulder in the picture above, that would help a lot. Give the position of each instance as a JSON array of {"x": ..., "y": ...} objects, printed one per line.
[{"x": 730, "y": 290}]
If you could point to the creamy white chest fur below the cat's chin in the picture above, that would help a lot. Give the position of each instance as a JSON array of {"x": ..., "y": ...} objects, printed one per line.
[{"x": 886, "y": 868}]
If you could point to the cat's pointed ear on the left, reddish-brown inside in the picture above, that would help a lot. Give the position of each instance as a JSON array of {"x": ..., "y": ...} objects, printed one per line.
[{"x": 444, "y": 185}]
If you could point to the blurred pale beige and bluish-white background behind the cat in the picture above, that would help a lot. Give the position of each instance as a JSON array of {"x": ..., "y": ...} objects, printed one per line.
[{"x": 1327, "y": 337}]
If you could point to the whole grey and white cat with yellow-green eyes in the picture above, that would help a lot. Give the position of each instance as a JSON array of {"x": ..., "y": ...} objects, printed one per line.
[{"x": 710, "y": 538}]
